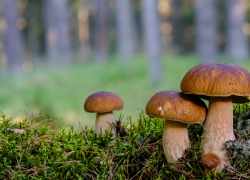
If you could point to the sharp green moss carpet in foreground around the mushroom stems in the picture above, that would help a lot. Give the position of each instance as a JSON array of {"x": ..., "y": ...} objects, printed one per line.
[{"x": 41, "y": 152}]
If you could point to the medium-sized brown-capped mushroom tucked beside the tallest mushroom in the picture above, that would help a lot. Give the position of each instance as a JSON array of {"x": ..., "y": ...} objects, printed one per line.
[{"x": 178, "y": 110}]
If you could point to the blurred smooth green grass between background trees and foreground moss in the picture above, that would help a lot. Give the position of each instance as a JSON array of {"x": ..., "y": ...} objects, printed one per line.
[{"x": 61, "y": 93}]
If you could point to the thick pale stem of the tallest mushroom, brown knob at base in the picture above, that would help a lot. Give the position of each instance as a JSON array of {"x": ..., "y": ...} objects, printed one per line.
[{"x": 218, "y": 129}]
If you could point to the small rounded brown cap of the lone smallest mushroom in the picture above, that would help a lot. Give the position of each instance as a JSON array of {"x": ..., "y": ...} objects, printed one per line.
[{"x": 103, "y": 102}]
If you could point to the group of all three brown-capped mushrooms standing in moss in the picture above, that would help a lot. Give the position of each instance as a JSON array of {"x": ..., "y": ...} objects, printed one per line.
[{"x": 220, "y": 84}]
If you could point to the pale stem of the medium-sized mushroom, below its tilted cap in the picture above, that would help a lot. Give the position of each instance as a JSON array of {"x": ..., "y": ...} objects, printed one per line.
[{"x": 175, "y": 140}]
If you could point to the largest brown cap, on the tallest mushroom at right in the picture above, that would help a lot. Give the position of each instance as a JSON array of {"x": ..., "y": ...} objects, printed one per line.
[{"x": 218, "y": 80}]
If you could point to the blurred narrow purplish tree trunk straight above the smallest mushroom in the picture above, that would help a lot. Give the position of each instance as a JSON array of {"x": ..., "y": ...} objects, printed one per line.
[{"x": 101, "y": 30}]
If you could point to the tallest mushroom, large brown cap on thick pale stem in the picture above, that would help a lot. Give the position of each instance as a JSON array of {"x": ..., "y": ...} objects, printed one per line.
[{"x": 222, "y": 85}]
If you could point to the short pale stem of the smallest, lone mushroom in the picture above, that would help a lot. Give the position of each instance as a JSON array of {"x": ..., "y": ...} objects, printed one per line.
[{"x": 104, "y": 122}]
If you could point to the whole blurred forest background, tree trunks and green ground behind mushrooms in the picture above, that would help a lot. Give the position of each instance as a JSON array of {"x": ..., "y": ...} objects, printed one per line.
[{"x": 54, "y": 53}]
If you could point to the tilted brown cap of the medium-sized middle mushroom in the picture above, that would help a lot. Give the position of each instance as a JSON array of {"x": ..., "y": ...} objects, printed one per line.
[{"x": 175, "y": 106}]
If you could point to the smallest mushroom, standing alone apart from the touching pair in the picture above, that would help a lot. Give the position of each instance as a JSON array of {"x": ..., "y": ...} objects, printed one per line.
[{"x": 103, "y": 104}]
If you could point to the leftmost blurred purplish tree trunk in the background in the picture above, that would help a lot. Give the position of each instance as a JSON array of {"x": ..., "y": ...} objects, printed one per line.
[{"x": 12, "y": 37}]
